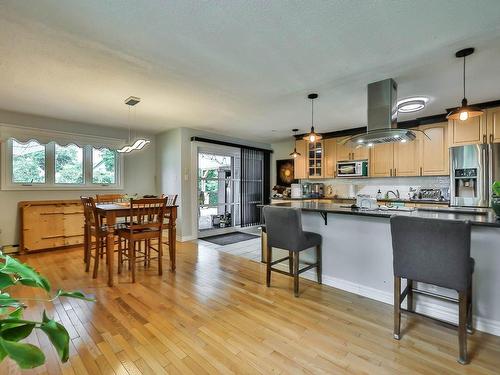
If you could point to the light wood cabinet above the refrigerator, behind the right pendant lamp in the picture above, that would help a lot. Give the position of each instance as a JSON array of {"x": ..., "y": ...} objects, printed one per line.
[{"x": 471, "y": 131}]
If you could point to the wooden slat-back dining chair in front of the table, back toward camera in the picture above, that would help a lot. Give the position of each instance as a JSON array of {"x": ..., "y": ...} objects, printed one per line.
[{"x": 146, "y": 225}]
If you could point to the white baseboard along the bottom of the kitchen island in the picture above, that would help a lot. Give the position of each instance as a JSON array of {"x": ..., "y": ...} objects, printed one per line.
[{"x": 423, "y": 306}]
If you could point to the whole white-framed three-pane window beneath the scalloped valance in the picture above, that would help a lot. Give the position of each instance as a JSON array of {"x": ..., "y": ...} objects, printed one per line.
[{"x": 53, "y": 166}]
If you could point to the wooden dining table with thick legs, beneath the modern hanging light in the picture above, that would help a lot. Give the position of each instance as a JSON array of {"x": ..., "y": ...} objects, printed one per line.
[{"x": 111, "y": 211}]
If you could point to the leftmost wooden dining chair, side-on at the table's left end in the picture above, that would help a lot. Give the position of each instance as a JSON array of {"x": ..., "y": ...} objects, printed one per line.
[{"x": 93, "y": 228}]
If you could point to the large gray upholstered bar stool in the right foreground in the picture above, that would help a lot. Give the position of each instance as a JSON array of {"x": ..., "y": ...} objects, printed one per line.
[{"x": 435, "y": 252}]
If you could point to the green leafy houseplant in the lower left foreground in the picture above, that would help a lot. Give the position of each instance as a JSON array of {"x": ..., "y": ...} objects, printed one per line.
[{"x": 13, "y": 328}]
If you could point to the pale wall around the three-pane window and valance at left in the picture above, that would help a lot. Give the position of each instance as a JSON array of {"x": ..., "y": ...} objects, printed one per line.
[{"x": 139, "y": 170}]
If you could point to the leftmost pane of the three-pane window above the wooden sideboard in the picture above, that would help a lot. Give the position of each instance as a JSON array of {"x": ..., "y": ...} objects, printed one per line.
[{"x": 28, "y": 162}]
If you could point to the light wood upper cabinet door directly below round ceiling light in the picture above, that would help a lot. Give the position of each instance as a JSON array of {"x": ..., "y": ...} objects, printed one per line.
[{"x": 407, "y": 157}]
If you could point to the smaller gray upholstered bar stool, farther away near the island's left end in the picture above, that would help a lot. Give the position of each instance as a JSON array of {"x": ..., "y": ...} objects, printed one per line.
[{"x": 284, "y": 231}]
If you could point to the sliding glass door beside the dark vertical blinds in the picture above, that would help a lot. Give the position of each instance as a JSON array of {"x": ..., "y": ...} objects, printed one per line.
[{"x": 218, "y": 191}]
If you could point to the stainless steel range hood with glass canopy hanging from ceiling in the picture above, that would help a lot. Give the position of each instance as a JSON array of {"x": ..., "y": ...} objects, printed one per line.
[{"x": 382, "y": 117}]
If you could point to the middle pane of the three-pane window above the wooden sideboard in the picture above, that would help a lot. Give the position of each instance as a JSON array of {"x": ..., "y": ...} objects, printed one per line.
[{"x": 68, "y": 164}]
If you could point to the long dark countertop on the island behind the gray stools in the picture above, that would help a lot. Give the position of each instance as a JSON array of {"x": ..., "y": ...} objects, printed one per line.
[{"x": 488, "y": 219}]
